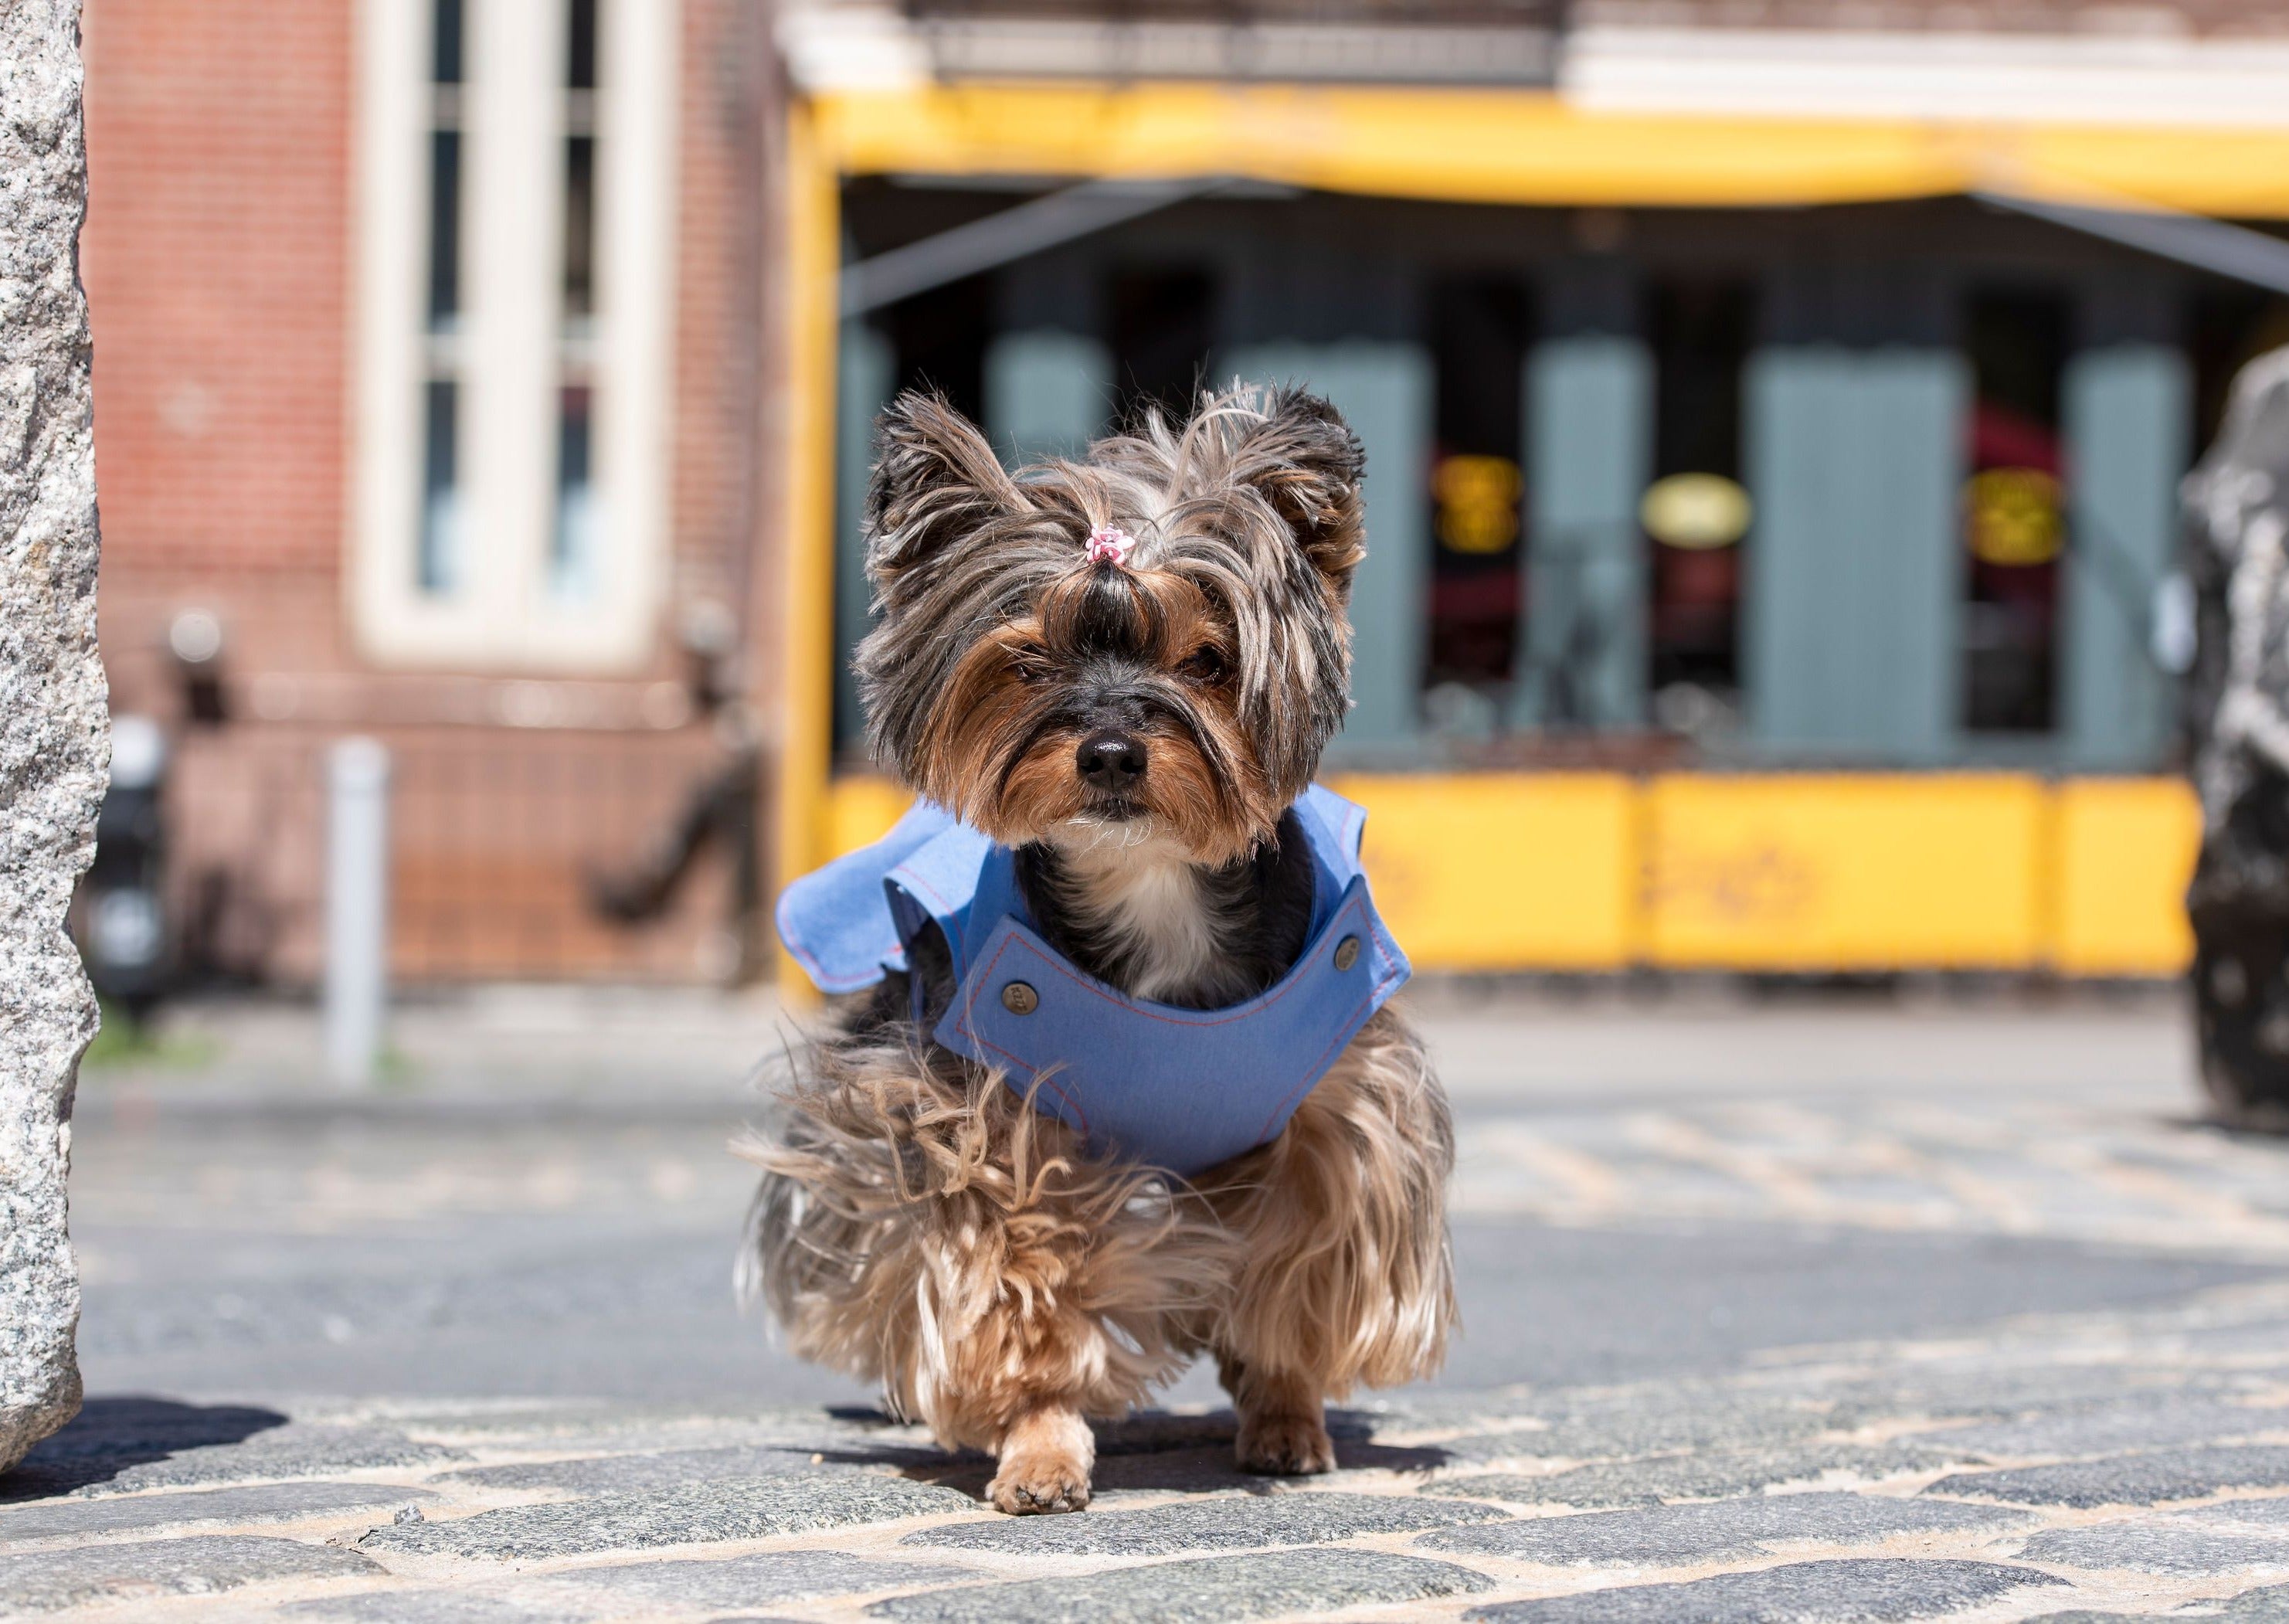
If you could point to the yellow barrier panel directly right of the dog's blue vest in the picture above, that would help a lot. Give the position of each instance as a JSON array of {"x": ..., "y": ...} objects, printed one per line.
[{"x": 1505, "y": 872}]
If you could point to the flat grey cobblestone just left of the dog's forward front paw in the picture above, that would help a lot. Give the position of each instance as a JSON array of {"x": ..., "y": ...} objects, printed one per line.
[{"x": 736, "y": 1508}]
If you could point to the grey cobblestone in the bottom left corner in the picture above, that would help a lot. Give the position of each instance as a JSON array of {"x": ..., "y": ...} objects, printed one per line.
[{"x": 49, "y": 1582}]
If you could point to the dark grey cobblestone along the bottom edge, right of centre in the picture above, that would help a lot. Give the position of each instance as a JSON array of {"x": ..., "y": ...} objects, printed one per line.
[{"x": 1851, "y": 1591}]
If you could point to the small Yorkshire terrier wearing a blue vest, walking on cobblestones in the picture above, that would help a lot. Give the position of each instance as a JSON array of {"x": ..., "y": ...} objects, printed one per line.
[{"x": 1114, "y": 677}]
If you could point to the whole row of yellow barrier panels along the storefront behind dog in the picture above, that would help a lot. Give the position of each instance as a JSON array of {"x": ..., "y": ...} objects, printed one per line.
[{"x": 1581, "y": 872}]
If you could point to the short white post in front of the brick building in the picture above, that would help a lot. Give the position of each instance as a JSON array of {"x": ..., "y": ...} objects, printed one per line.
[{"x": 356, "y": 908}]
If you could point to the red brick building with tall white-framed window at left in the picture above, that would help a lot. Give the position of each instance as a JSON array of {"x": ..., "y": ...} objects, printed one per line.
[{"x": 429, "y": 397}]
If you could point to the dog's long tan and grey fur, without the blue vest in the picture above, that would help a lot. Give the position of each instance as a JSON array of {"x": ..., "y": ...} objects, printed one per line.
[{"x": 919, "y": 1222}]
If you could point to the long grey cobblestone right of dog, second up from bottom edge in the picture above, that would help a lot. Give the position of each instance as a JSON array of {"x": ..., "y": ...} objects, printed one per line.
[{"x": 1718, "y": 1529}]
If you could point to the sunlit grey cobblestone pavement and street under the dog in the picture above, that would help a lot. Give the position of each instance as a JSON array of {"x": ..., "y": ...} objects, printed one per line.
[{"x": 1780, "y": 1316}]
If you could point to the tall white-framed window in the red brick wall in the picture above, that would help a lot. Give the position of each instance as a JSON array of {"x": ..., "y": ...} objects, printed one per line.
[{"x": 516, "y": 292}]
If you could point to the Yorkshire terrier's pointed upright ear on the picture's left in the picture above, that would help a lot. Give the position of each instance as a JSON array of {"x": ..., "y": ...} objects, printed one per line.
[{"x": 935, "y": 482}]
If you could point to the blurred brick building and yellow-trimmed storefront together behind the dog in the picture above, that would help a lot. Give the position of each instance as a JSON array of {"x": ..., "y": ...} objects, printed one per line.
[{"x": 1775, "y": 416}]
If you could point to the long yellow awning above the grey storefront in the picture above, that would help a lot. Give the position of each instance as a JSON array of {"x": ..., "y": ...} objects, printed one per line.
[{"x": 1530, "y": 148}]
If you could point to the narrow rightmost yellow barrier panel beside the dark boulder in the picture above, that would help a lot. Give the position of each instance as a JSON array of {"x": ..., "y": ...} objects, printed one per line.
[{"x": 2123, "y": 860}]
